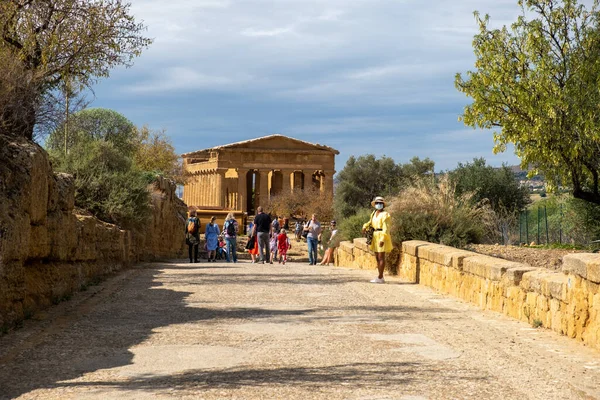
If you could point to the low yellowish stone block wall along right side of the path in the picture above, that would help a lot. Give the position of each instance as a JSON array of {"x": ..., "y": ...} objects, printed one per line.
[{"x": 568, "y": 301}]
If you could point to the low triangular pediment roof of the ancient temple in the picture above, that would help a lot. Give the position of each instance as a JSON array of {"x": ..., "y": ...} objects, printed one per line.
[{"x": 270, "y": 142}]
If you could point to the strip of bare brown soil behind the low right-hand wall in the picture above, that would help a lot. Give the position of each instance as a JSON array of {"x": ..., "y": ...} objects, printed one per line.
[{"x": 535, "y": 257}]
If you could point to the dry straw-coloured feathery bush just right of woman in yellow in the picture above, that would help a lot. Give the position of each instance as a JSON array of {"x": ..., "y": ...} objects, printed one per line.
[{"x": 435, "y": 213}]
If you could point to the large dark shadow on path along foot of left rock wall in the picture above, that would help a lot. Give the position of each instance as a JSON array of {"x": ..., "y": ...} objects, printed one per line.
[{"x": 98, "y": 333}]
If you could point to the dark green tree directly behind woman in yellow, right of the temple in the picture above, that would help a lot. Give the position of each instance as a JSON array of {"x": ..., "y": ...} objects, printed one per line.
[{"x": 365, "y": 177}]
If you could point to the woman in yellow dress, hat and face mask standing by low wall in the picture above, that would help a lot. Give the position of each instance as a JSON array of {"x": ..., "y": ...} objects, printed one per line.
[{"x": 382, "y": 241}]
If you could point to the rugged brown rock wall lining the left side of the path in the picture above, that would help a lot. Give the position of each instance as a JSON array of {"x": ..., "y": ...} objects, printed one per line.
[{"x": 47, "y": 251}]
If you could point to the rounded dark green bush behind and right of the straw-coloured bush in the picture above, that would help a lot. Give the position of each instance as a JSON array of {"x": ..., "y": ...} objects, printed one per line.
[{"x": 496, "y": 185}]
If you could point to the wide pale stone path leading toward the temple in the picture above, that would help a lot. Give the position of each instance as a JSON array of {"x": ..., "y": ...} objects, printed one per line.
[{"x": 248, "y": 331}]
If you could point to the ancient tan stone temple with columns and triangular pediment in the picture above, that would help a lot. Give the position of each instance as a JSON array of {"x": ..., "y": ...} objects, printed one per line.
[{"x": 239, "y": 176}]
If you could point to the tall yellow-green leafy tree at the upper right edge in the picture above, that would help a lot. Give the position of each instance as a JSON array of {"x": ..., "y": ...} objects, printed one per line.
[{"x": 537, "y": 83}]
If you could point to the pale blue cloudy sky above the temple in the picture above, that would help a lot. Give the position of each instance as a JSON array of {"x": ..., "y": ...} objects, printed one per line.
[{"x": 362, "y": 76}]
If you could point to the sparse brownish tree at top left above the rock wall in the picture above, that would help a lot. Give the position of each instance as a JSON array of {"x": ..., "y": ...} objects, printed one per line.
[{"x": 78, "y": 41}]
